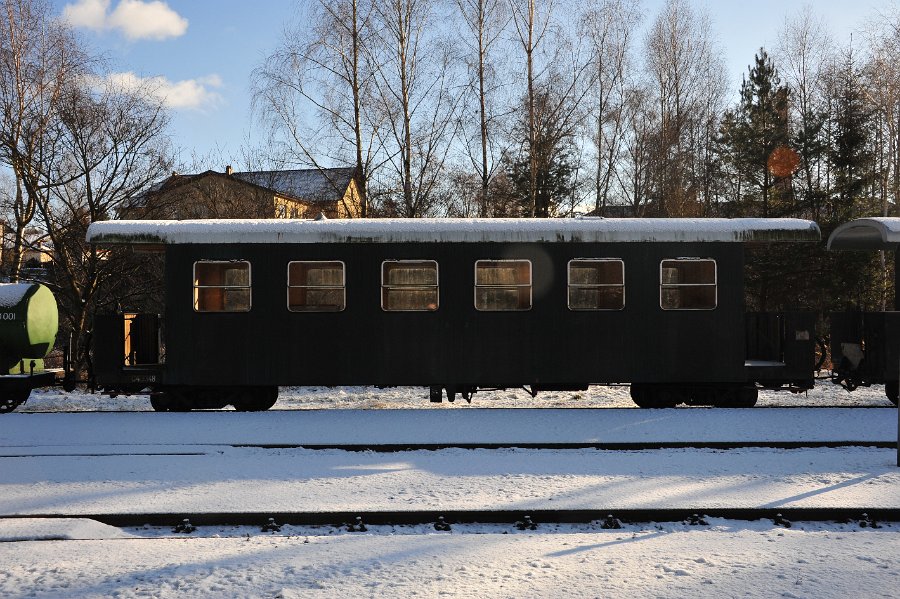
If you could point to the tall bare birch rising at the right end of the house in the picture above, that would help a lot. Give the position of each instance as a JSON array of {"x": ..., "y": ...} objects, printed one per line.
[{"x": 314, "y": 91}]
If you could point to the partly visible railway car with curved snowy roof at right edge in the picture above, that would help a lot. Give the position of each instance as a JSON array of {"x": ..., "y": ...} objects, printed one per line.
[{"x": 865, "y": 346}]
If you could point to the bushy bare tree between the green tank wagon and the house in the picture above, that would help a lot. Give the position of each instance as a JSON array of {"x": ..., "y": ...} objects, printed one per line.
[{"x": 110, "y": 146}]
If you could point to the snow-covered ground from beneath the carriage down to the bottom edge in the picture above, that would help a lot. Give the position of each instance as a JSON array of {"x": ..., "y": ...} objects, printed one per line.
[{"x": 100, "y": 463}]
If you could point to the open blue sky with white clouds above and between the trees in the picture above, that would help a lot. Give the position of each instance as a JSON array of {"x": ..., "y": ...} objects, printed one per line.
[{"x": 206, "y": 49}]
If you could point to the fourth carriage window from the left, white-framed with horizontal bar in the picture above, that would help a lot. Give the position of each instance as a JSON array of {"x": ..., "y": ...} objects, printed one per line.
[{"x": 502, "y": 285}]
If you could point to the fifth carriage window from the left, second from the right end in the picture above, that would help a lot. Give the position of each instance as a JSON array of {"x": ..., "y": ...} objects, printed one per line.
[{"x": 596, "y": 284}]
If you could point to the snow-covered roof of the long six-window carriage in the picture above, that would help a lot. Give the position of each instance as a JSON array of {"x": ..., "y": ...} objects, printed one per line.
[{"x": 421, "y": 230}]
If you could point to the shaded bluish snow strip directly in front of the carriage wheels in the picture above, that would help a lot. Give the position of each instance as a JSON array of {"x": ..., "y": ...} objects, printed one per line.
[{"x": 393, "y": 430}]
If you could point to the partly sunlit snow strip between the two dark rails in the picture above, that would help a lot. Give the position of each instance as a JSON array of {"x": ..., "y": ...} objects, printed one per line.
[{"x": 184, "y": 480}]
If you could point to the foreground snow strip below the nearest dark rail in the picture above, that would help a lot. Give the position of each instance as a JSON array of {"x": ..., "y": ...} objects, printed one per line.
[{"x": 724, "y": 559}]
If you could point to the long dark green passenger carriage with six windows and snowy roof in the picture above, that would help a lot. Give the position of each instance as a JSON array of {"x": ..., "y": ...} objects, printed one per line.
[{"x": 454, "y": 305}]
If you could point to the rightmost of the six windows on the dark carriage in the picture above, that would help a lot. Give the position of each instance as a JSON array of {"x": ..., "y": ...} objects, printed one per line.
[{"x": 687, "y": 284}]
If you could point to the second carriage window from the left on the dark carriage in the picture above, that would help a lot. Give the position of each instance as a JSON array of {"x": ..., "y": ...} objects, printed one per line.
[{"x": 316, "y": 287}]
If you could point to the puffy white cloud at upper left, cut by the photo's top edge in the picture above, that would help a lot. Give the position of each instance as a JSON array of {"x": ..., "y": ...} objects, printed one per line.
[{"x": 136, "y": 19}]
